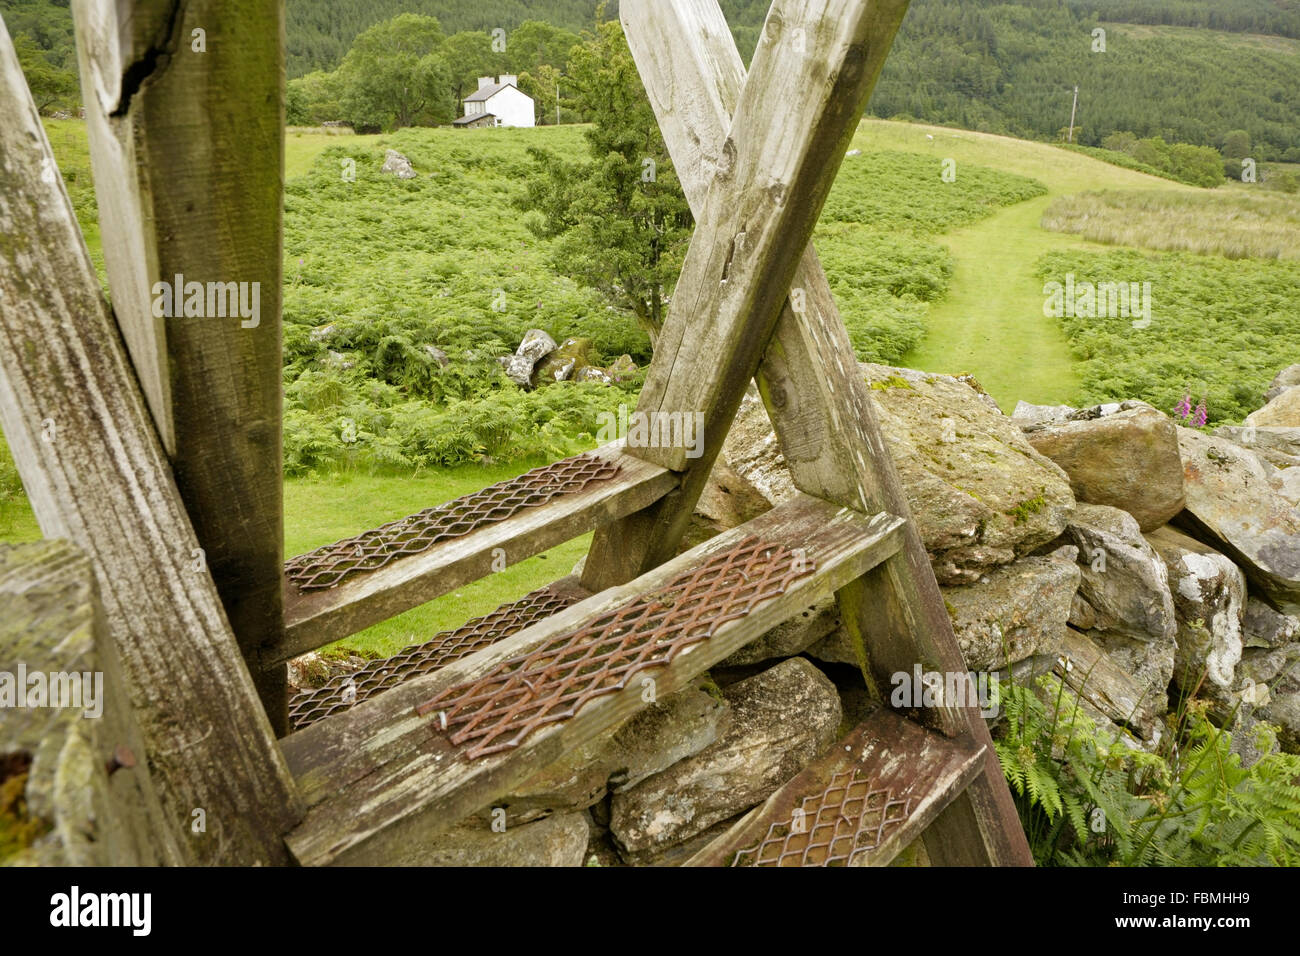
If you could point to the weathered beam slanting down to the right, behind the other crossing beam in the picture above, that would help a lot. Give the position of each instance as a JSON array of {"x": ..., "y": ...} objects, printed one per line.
[{"x": 816, "y": 396}]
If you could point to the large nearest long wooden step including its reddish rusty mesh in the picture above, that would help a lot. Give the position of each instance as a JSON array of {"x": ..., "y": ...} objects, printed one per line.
[{"x": 413, "y": 762}]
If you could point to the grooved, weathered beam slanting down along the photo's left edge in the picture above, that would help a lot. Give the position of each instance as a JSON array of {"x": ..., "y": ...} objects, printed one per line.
[{"x": 96, "y": 474}]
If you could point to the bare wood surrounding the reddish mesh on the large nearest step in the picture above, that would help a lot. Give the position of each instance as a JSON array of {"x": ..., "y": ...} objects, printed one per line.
[{"x": 382, "y": 776}]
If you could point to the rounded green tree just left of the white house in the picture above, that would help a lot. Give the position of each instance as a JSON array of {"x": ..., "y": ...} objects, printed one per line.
[{"x": 396, "y": 75}]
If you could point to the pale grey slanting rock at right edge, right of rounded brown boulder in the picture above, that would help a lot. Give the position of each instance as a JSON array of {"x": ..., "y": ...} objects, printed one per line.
[{"x": 1233, "y": 507}]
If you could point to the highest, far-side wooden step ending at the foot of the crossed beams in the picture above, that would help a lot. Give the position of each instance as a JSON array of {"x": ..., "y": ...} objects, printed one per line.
[{"x": 319, "y": 616}]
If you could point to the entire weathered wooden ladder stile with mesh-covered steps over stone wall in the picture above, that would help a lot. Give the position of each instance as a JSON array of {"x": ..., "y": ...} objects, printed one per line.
[{"x": 756, "y": 155}]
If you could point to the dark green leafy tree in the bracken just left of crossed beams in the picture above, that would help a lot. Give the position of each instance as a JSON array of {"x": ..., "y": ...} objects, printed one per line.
[{"x": 621, "y": 220}]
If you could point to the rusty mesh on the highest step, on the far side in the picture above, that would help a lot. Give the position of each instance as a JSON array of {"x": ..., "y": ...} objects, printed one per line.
[{"x": 332, "y": 565}]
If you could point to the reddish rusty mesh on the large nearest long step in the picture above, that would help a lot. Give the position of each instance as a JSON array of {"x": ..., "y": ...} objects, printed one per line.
[{"x": 553, "y": 682}]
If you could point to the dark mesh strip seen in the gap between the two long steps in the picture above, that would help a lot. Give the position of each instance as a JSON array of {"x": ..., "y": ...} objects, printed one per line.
[{"x": 349, "y": 690}]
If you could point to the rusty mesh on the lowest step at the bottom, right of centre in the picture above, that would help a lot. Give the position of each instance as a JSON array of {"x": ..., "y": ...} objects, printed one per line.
[{"x": 831, "y": 829}]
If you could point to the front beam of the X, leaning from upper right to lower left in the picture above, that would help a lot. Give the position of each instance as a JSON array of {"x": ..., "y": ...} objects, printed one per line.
[{"x": 794, "y": 120}]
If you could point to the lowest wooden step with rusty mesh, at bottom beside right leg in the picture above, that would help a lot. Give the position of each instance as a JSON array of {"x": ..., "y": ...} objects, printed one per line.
[{"x": 859, "y": 806}]
